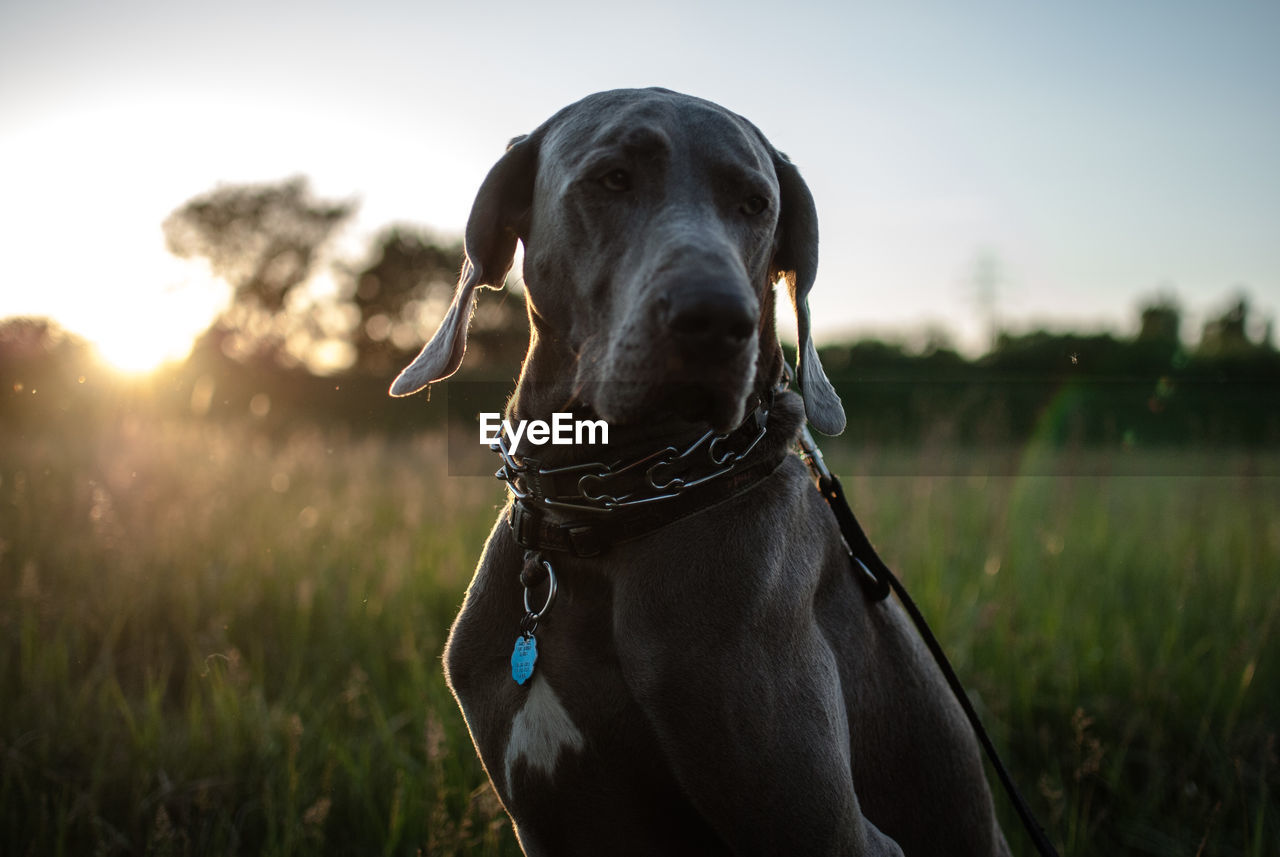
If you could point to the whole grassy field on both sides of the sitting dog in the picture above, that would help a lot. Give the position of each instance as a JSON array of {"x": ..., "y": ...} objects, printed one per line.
[{"x": 218, "y": 643}]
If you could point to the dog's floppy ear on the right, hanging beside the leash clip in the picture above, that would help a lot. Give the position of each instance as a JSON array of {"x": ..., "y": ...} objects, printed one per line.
[{"x": 797, "y": 259}]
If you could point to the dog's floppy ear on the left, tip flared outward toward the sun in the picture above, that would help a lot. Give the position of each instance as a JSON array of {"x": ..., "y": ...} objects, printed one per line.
[{"x": 496, "y": 223}]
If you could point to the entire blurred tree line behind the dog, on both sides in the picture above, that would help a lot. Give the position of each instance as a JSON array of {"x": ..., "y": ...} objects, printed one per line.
[{"x": 309, "y": 340}]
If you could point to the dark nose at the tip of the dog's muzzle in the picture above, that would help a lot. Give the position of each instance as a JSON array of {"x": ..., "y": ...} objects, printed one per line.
[{"x": 708, "y": 322}]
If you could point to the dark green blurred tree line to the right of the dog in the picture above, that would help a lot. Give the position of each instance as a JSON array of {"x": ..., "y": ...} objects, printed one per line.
[{"x": 1072, "y": 389}]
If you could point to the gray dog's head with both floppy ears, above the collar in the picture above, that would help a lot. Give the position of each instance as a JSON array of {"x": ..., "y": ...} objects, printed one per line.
[{"x": 655, "y": 227}]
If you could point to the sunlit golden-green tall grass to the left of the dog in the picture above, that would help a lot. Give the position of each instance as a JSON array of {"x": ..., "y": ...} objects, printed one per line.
[{"x": 218, "y": 644}]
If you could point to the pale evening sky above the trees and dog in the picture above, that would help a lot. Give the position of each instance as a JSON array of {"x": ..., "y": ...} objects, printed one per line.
[{"x": 1099, "y": 152}]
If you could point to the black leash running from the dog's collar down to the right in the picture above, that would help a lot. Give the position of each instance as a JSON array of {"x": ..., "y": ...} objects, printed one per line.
[{"x": 879, "y": 580}]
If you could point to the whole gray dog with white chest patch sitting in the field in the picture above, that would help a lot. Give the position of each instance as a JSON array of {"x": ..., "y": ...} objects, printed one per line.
[{"x": 712, "y": 680}]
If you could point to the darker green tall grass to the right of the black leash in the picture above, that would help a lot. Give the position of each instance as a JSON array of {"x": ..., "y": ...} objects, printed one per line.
[{"x": 1118, "y": 631}]
